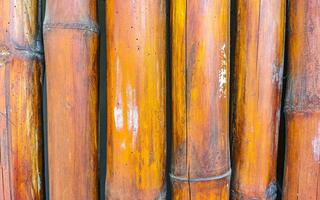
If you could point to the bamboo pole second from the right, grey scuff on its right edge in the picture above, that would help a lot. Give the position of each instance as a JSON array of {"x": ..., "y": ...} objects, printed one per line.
[{"x": 258, "y": 87}]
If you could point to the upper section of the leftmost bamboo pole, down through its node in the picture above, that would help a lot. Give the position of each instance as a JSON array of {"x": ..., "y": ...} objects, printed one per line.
[{"x": 20, "y": 30}]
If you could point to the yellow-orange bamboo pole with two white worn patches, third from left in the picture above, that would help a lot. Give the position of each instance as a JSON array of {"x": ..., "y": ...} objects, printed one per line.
[{"x": 136, "y": 107}]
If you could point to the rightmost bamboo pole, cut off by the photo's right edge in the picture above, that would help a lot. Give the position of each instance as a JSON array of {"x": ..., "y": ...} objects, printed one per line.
[{"x": 303, "y": 102}]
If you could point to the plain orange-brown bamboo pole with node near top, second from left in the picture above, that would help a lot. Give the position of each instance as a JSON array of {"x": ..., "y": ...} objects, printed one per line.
[{"x": 70, "y": 41}]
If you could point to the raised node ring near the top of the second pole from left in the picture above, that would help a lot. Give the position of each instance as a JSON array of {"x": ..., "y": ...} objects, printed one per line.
[{"x": 91, "y": 27}]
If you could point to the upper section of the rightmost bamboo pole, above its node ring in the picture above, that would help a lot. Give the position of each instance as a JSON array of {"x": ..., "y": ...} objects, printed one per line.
[{"x": 303, "y": 90}]
